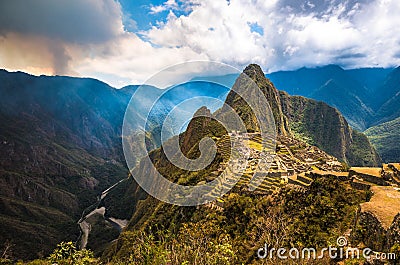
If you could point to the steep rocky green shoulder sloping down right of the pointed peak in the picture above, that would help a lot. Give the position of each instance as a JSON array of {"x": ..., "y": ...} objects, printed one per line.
[{"x": 319, "y": 124}]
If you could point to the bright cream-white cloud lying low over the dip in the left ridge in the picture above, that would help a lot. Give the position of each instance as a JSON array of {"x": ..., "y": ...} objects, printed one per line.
[{"x": 130, "y": 60}]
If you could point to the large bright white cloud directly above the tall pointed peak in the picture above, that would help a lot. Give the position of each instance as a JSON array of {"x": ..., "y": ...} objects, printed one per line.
[{"x": 219, "y": 30}]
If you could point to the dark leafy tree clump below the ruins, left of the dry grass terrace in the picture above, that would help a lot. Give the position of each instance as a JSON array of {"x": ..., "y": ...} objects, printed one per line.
[{"x": 323, "y": 213}]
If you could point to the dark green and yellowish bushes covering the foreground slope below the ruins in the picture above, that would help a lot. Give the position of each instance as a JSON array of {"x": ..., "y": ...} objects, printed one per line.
[{"x": 179, "y": 235}]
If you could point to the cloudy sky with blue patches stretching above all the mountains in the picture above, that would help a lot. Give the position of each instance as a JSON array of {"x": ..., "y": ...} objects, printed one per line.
[{"x": 126, "y": 41}]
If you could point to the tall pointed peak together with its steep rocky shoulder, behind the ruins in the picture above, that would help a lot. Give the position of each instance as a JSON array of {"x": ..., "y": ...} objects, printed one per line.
[{"x": 317, "y": 122}]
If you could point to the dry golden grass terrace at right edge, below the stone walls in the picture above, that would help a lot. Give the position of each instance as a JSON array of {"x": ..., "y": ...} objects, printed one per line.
[{"x": 384, "y": 204}]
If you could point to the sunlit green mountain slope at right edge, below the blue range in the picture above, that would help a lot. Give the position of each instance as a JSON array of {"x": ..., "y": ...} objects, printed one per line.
[{"x": 385, "y": 138}]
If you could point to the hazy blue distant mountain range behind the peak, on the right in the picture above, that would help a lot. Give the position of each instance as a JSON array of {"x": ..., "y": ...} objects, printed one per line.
[{"x": 365, "y": 96}]
